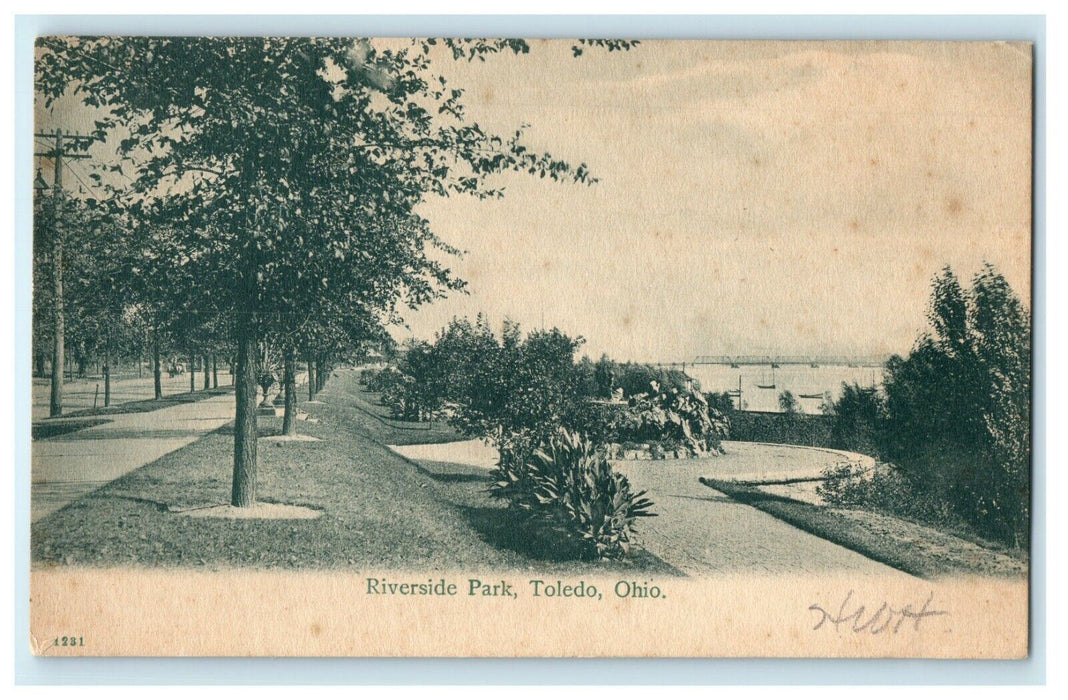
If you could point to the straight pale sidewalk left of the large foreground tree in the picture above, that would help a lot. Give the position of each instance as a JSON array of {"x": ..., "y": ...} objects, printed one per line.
[{"x": 69, "y": 466}]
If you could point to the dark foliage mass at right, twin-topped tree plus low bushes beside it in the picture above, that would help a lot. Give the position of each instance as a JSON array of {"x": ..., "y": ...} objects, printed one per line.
[{"x": 954, "y": 417}]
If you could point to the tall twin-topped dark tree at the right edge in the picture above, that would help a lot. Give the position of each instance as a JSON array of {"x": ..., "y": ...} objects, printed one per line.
[{"x": 959, "y": 408}]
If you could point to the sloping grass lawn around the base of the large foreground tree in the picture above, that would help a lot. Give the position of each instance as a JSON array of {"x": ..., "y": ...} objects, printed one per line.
[{"x": 380, "y": 511}]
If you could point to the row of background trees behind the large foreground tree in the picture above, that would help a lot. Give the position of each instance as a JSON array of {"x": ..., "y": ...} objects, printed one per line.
[{"x": 113, "y": 314}]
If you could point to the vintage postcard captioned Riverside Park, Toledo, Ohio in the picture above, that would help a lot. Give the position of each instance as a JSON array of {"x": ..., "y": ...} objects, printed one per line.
[{"x": 501, "y": 348}]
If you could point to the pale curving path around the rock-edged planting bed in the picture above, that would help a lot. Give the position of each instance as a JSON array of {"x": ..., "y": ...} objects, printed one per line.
[{"x": 702, "y": 532}]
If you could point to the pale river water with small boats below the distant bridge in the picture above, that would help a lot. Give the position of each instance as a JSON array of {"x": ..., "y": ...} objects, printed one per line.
[{"x": 762, "y": 384}]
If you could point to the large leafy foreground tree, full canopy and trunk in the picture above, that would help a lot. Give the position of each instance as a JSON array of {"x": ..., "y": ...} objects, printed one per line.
[{"x": 291, "y": 169}]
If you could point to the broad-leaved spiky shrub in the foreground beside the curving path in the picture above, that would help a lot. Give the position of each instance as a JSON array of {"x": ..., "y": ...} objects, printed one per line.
[{"x": 568, "y": 488}]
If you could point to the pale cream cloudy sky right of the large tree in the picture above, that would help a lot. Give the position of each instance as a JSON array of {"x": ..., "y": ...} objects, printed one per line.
[{"x": 753, "y": 197}]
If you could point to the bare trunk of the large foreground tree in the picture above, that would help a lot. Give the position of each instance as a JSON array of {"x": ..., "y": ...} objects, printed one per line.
[{"x": 244, "y": 494}]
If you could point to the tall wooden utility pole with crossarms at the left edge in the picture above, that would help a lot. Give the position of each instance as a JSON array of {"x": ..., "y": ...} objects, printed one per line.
[{"x": 58, "y": 154}]
